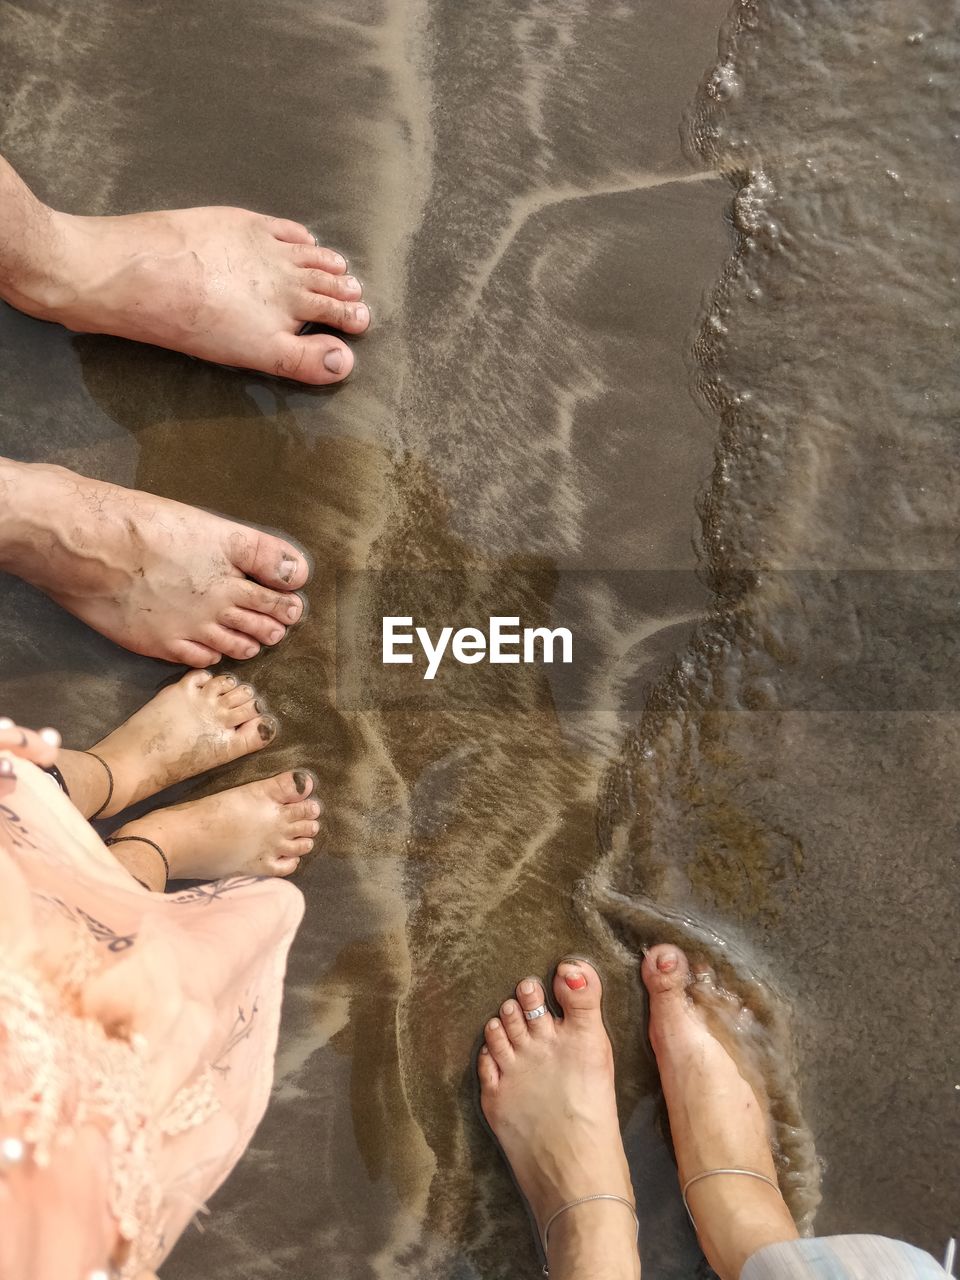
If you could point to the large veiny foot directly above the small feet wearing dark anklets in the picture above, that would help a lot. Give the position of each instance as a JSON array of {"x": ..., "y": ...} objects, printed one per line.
[{"x": 156, "y": 577}]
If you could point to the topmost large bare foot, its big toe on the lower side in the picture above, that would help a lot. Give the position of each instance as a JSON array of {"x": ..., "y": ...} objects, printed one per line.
[{"x": 223, "y": 285}]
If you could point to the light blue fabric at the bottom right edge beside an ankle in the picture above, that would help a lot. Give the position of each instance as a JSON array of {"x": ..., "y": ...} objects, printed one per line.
[{"x": 843, "y": 1258}]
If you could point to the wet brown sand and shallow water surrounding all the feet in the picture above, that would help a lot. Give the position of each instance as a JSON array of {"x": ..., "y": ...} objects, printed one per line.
[{"x": 589, "y": 397}]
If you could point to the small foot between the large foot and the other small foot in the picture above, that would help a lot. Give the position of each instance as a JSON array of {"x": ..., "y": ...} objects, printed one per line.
[{"x": 199, "y": 724}]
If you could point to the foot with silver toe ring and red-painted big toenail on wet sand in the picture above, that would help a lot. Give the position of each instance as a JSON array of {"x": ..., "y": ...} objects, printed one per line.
[{"x": 547, "y": 1092}]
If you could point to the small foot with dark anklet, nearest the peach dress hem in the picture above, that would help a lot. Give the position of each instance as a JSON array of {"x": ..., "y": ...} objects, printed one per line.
[{"x": 263, "y": 829}]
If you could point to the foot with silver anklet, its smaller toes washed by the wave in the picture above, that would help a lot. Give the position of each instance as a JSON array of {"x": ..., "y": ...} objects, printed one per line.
[{"x": 717, "y": 1119}]
